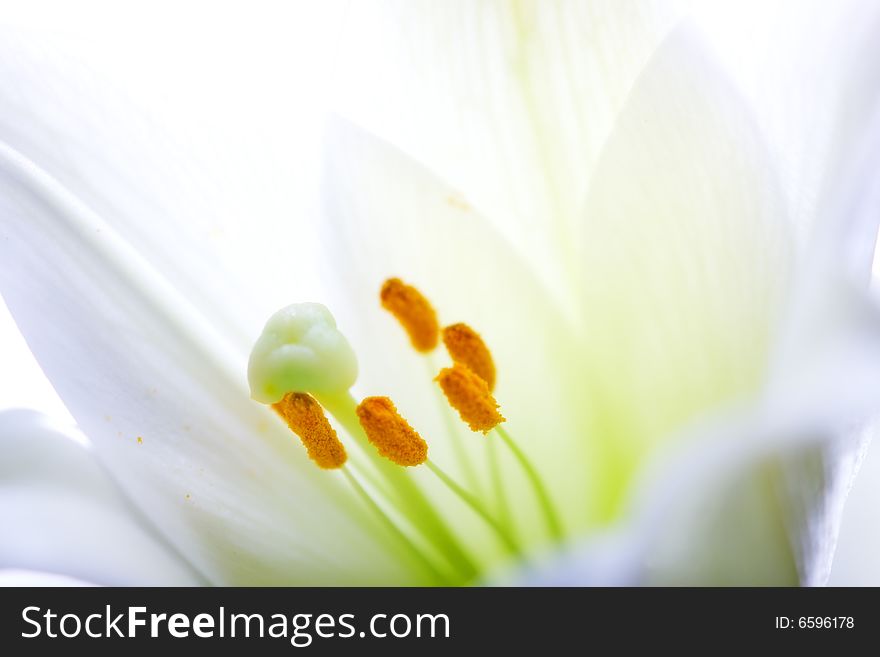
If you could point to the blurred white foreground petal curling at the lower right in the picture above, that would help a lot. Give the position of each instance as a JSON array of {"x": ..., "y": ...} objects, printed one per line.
[{"x": 753, "y": 495}]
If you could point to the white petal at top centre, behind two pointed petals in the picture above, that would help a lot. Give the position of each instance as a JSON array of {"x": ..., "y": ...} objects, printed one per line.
[{"x": 510, "y": 102}]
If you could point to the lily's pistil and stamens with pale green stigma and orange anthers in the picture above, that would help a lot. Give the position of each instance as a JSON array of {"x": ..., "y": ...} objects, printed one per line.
[{"x": 301, "y": 365}]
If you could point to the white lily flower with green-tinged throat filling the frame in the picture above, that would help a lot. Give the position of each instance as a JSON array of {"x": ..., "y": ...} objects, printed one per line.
[{"x": 682, "y": 350}]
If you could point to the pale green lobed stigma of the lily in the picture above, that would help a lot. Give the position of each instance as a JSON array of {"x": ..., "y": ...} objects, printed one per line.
[{"x": 300, "y": 350}]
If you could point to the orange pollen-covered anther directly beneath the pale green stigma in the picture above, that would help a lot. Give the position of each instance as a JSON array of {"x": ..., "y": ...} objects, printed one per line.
[{"x": 306, "y": 419}]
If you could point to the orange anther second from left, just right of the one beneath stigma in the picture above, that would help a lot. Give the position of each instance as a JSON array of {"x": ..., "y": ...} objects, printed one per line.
[{"x": 390, "y": 434}]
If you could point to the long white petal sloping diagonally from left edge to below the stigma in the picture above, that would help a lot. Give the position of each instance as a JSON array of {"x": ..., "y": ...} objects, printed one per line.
[{"x": 164, "y": 400}]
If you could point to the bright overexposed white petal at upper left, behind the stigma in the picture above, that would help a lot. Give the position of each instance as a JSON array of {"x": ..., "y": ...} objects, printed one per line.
[{"x": 202, "y": 157}]
